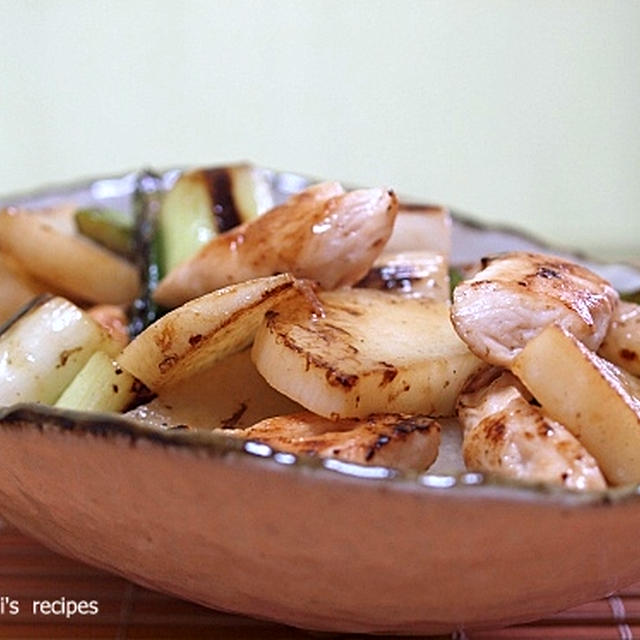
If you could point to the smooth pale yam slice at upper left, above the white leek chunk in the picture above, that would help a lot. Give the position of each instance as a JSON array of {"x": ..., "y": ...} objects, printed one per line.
[{"x": 71, "y": 264}]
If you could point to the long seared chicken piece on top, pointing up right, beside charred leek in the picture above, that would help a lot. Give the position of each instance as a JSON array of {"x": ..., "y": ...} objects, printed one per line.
[{"x": 322, "y": 234}]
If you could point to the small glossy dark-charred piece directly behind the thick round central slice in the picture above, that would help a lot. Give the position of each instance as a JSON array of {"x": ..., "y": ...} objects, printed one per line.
[{"x": 415, "y": 274}]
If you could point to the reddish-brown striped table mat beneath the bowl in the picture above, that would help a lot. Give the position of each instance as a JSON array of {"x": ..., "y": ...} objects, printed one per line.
[{"x": 32, "y": 576}]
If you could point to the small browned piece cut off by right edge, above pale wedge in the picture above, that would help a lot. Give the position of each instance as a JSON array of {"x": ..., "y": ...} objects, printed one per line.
[{"x": 621, "y": 345}]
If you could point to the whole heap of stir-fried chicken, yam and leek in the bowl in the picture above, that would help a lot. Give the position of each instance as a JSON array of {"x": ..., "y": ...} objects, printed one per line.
[{"x": 324, "y": 327}]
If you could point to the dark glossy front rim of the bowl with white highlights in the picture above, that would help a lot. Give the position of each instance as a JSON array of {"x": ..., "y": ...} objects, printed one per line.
[{"x": 215, "y": 446}]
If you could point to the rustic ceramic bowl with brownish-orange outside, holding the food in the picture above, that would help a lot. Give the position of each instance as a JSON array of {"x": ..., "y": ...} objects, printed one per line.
[{"x": 322, "y": 545}]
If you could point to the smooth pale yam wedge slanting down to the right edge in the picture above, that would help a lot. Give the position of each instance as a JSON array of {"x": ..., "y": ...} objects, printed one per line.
[{"x": 598, "y": 402}]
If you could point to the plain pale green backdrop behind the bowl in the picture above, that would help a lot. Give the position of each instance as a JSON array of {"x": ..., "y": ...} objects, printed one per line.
[{"x": 522, "y": 112}]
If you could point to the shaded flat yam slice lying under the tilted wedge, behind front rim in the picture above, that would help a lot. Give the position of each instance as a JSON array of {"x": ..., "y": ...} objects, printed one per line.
[{"x": 228, "y": 394}]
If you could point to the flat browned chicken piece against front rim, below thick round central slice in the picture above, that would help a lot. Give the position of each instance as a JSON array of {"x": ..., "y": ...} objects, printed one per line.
[{"x": 402, "y": 441}]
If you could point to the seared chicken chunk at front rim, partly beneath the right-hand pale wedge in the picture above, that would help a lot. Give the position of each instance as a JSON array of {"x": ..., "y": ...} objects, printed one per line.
[{"x": 505, "y": 434}]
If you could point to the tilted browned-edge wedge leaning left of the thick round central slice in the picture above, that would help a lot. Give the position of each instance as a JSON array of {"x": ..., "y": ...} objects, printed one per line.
[{"x": 205, "y": 330}]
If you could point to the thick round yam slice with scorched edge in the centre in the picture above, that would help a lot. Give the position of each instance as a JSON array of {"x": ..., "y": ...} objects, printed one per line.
[{"x": 363, "y": 351}]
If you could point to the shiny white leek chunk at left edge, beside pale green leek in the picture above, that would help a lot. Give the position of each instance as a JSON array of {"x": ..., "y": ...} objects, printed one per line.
[{"x": 43, "y": 349}]
